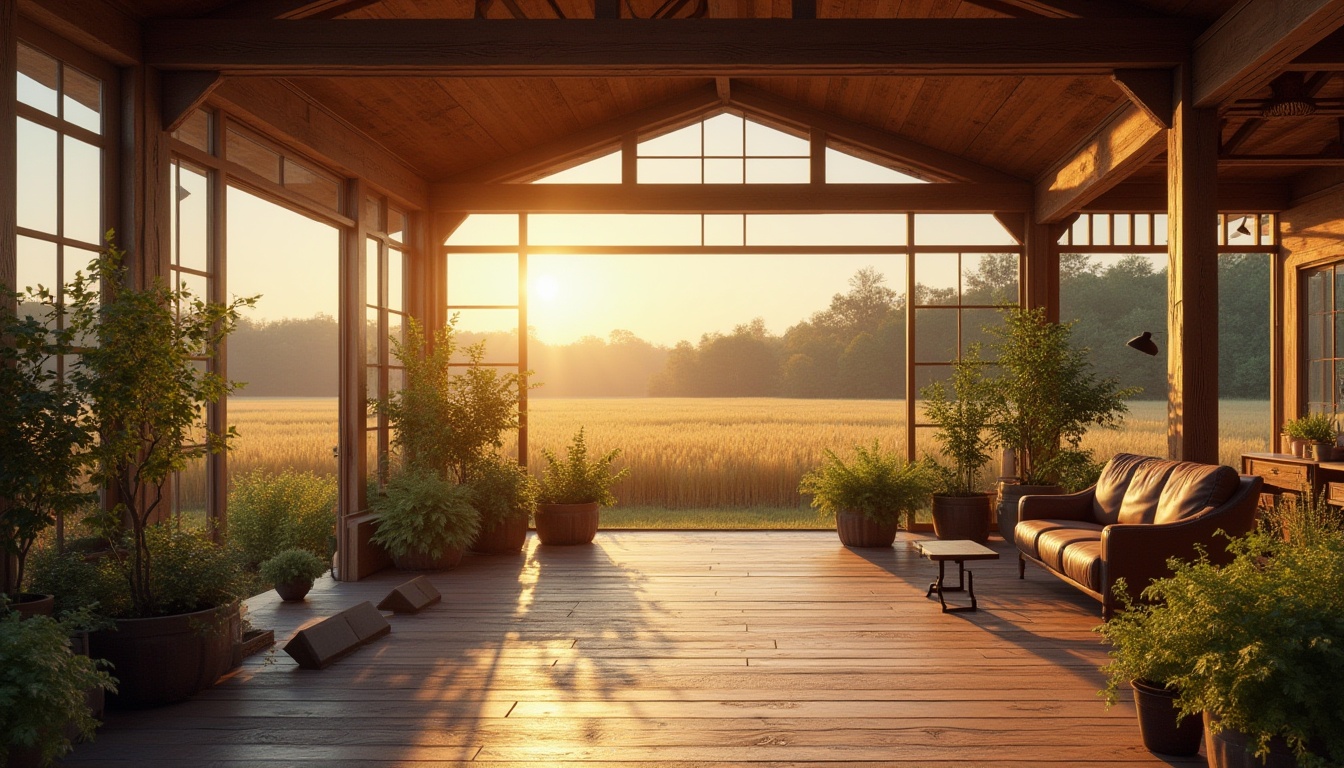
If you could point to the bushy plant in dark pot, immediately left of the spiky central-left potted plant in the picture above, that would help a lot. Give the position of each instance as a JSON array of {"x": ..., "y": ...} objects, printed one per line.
[{"x": 505, "y": 496}]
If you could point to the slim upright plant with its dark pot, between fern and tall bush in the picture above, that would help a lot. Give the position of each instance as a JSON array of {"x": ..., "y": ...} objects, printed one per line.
[{"x": 960, "y": 509}]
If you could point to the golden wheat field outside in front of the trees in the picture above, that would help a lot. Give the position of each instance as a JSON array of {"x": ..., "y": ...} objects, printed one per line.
[{"x": 713, "y": 462}]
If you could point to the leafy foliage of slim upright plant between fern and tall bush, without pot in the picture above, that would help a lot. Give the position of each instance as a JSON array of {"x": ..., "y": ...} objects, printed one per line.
[{"x": 962, "y": 418}]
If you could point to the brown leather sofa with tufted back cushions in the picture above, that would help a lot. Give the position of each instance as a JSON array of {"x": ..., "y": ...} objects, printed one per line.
[{"x": 1140, "y": 513}]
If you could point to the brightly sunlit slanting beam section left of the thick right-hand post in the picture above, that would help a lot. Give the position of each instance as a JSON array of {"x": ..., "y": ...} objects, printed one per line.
[{"x": 1119, "y": 147}]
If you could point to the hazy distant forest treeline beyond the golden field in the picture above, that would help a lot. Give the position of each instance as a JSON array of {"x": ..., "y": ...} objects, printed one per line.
[{"x": 853, "y": 349}]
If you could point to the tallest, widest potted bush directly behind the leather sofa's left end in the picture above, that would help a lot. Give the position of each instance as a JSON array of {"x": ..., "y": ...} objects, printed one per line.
[{"x": 1045, "y": 397}]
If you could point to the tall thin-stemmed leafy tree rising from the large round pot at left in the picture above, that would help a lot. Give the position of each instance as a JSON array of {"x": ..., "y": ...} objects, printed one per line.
[{"x": 144, "y": 396}]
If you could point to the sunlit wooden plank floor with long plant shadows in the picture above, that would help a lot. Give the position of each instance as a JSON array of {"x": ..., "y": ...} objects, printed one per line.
[{"x": 670, "y": 650}]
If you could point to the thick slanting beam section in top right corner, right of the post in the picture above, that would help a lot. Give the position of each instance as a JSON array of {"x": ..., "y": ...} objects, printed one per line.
[{"x": 1255, "y": 41}]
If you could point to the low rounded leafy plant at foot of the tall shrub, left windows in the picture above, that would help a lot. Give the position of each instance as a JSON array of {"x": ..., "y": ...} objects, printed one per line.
[{"x": 423, "y": 513}]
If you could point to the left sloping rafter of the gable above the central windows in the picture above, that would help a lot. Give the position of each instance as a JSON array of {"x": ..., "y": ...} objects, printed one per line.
[{"x": 599, "y": 139}]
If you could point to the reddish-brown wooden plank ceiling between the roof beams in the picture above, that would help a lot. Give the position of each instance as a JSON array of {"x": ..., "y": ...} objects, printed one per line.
[{"x": 446, "y": 127}]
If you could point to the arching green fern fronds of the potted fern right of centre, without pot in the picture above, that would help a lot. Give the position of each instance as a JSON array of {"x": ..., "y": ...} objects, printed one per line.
[{"x": 877, "y": 484}]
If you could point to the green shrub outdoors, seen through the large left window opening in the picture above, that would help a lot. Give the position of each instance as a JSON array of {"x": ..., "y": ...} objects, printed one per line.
[{"x": 272, "y": 513}]
